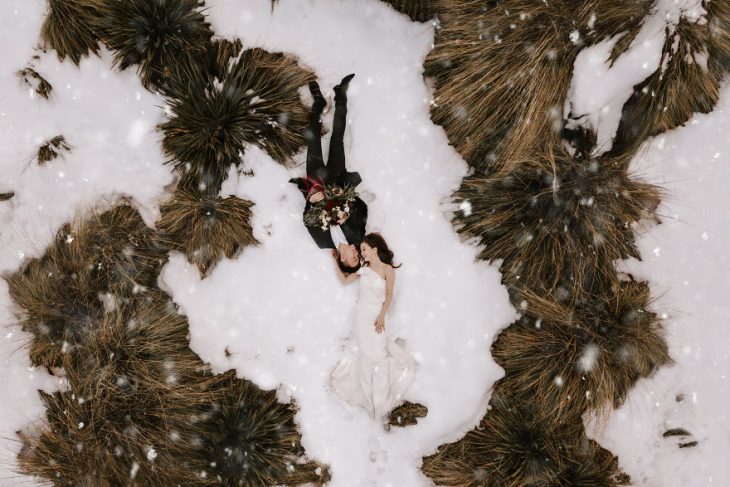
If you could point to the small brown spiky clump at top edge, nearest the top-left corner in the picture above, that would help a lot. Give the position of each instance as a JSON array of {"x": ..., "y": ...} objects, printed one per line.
[{"x": 69, "y": 28}]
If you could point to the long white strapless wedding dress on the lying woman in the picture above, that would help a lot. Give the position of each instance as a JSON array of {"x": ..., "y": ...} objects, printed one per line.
[{"x": 377, "y": 371}]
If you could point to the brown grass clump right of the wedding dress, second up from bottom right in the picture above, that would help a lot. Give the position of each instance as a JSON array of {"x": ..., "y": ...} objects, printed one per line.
[{"x": 572, "y": 359}]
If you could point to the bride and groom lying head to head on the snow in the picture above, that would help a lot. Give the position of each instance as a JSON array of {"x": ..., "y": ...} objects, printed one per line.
[{"x": 377, "y": 371}]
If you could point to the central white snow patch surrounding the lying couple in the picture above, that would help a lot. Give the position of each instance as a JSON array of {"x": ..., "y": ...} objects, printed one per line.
[{"x": 279, "y": 309}]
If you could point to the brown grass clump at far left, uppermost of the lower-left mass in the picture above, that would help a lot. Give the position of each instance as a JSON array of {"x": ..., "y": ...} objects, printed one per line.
[{"x": 100, "y": 261}]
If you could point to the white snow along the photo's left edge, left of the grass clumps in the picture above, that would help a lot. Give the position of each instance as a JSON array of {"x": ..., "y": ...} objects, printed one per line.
[{"x": 108, "y": 119}]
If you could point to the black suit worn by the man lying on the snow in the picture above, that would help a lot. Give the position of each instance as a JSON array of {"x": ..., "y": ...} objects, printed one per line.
[{"x": 333, "y": 173}]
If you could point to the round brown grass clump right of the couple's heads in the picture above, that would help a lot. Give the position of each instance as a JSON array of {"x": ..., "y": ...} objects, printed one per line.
[{"x": 558, "y": 221}]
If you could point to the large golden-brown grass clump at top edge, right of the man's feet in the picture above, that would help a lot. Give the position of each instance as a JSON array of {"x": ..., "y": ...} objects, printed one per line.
[{"x": 502, "y": 70}]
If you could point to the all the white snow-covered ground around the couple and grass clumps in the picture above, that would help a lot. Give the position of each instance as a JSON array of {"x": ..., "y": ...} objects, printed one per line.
[{"x": 278, "y": 309}]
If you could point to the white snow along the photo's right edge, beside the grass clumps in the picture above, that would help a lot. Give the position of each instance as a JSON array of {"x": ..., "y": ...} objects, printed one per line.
[{"x": 689, "y": 279}]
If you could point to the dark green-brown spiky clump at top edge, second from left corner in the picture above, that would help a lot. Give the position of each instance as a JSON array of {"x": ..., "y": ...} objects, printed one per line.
[{"x": 153, "y": 34}]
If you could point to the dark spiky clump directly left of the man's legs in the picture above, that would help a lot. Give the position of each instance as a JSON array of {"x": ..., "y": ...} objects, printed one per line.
[{"x": 228, "y": 99}]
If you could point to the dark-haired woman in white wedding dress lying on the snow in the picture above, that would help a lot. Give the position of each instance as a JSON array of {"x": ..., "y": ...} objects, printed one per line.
[{"x": 378, "y": 371}]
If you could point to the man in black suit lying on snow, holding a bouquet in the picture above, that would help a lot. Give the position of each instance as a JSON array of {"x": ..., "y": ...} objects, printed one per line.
[{"x": 344, "y": 238}]
